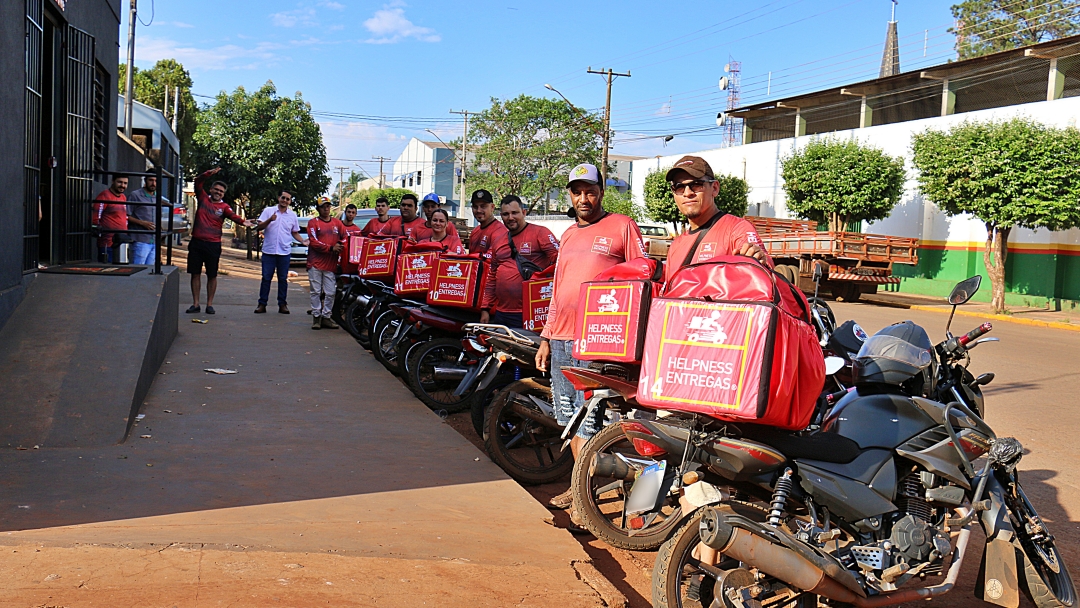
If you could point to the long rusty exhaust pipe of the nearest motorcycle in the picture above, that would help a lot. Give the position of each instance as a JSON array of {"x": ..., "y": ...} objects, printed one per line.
[{"x": 808, "y": 571}]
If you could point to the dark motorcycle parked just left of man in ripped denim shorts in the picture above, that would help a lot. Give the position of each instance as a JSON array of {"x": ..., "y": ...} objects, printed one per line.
[{"x": 516, "y": 414}]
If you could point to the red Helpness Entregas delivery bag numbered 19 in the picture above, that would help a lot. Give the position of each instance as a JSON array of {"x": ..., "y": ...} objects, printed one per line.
[{"x": 614, "y": 310}]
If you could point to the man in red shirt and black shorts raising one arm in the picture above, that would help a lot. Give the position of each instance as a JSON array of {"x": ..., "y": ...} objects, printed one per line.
[{"x": 206, "y": 245}]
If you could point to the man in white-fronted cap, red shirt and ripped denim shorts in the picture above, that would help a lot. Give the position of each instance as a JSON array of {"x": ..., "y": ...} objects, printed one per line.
[{"x": 599, "y": 241}]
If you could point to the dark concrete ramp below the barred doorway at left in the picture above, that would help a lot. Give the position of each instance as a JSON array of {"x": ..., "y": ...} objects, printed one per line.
[{"x": 79, "y": 356}]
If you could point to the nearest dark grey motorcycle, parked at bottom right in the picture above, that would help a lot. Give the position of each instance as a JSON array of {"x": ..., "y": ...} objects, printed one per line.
[{"x": 875, "y": 509}]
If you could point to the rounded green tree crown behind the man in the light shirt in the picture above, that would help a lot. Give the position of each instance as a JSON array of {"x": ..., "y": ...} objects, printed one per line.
[{"x": 263, "y": 143}]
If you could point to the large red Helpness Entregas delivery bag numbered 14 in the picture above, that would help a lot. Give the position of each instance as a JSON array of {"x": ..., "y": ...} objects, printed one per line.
[{"x": 733, "y": 341}]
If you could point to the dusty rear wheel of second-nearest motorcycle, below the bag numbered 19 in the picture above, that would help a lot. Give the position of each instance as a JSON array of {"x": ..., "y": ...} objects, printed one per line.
[{"x": 602, "y": 511}]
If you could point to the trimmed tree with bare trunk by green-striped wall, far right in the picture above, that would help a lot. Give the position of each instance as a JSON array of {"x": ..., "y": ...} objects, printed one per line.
[{"x": 1010, "y": 174}]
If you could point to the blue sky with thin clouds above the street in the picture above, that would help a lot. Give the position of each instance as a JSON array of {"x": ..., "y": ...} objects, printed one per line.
[{"x": 411, "y": 63}]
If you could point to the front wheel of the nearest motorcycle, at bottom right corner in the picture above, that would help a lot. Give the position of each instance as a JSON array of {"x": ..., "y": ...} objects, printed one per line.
[{"x": 1047, "y": 579}]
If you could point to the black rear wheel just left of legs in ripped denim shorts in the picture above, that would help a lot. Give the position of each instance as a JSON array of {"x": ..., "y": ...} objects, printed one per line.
[{"x": 529, "y": 452}]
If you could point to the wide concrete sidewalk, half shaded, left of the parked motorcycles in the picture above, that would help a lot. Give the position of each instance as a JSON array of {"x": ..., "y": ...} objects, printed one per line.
[{"x": 310, "y": 478}]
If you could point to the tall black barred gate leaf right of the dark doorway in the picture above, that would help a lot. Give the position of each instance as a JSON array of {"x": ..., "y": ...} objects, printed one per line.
[{"x": 80, "y": 82}]
